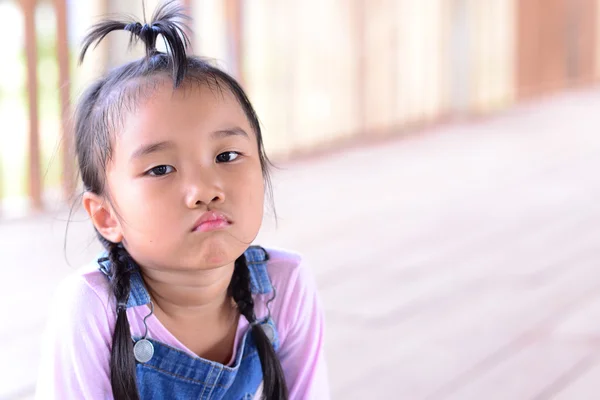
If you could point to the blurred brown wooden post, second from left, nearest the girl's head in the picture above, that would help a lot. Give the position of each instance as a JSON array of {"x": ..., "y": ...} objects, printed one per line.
[{"x": 62, "y": 45}]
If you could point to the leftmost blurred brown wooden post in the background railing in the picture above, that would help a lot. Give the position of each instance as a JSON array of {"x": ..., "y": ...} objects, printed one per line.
[{"x": 35, "y": 183}]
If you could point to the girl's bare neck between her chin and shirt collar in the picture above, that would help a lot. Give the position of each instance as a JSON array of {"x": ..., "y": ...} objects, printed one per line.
[{"x": 190, "y": 294}]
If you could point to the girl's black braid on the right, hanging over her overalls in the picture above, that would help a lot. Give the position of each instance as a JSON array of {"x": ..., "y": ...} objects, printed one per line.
[{"x": 274, "y": 387}]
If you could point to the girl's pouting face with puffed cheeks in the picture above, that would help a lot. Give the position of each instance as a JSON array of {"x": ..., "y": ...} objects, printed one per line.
[{"x": 200, "y": 129}]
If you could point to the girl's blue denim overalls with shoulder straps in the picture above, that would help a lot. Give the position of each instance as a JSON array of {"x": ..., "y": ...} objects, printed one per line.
[{"x": 174, "y": 374}]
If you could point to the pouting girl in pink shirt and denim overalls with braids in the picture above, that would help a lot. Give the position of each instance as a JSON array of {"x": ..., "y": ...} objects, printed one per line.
[{"x": 180, "y": 306}]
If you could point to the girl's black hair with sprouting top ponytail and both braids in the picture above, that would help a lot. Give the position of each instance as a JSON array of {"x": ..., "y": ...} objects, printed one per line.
[{"x": 97, "y": 119}]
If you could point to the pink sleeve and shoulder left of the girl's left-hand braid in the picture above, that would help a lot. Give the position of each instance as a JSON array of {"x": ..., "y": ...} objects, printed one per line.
[{"x": 74, "y": 361}]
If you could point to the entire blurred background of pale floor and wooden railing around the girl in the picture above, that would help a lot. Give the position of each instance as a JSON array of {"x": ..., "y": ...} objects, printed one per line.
[{"x": 437, "y": 168}]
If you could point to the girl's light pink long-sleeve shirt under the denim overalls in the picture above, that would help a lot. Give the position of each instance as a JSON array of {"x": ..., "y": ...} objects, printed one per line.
[{"x": 76, "y": 345}]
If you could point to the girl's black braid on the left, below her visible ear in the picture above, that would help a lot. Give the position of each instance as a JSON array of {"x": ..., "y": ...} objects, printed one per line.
[{"x": 122, "y": 362}]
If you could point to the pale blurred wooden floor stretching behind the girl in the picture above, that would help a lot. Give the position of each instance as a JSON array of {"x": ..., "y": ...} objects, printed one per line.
[{"x": 463, "y": 263}]
